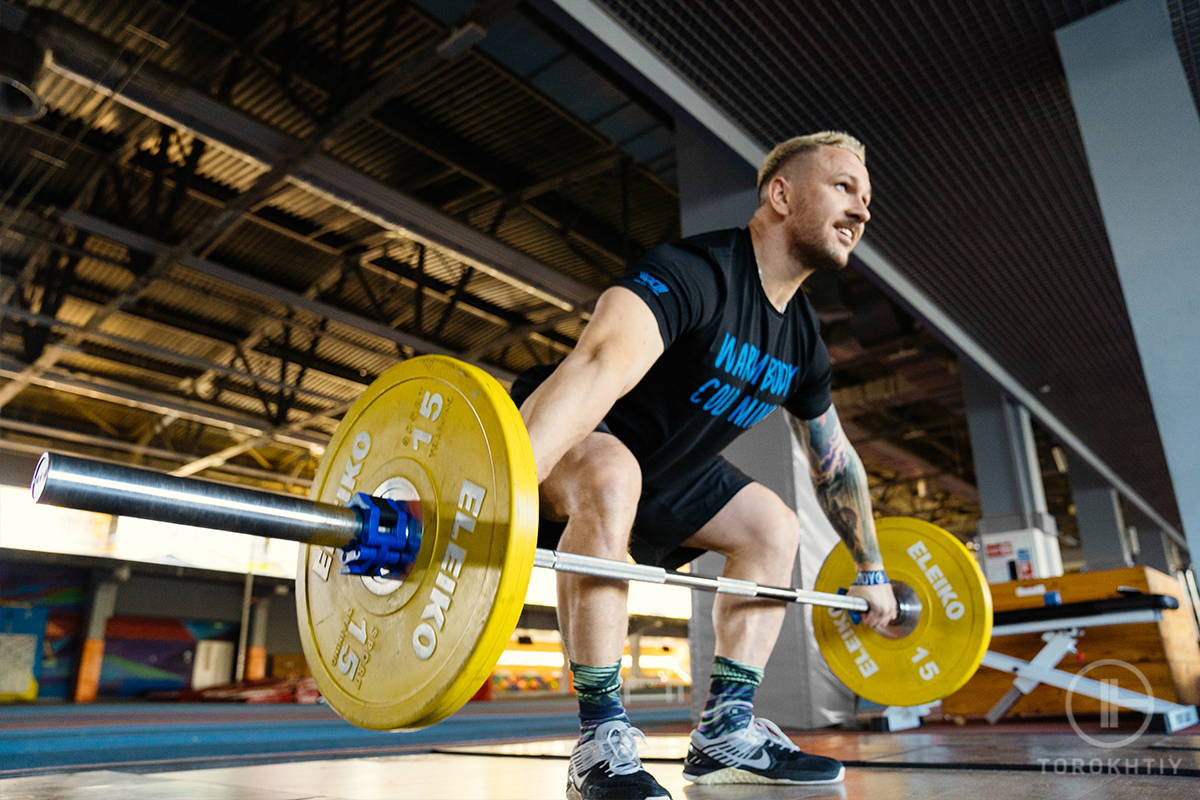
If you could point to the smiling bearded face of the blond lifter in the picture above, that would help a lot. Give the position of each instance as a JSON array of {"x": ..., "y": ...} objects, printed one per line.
[{"x": 829, "y": 195}]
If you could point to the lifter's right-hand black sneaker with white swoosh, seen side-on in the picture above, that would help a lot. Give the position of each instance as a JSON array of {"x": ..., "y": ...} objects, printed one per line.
[{"x": 759, "y": 754}]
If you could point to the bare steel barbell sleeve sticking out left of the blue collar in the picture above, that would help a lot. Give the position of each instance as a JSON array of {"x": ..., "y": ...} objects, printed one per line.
[{"x": 118, "y": 490}]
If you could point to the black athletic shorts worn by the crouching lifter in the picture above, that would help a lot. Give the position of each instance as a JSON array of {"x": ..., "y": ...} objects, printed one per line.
[{"x": 667, "y": 515}]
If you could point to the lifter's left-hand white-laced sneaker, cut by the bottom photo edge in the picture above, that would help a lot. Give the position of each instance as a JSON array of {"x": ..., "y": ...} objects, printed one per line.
[{"x": 608, "y": 768}]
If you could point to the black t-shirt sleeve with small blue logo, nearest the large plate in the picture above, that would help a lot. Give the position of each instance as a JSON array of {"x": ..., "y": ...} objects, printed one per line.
[{"x": 682, "y": 290}]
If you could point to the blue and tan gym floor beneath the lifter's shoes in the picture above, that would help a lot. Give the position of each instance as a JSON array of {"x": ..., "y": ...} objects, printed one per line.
[{"x": 518, "y": 751}]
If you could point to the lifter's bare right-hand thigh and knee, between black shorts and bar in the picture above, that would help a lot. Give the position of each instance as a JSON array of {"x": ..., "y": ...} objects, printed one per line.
[{"x": 757, "y": 524}]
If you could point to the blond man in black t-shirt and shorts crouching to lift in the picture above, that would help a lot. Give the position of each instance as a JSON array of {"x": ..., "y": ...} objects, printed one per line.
[{"x": 701, "y": 340}]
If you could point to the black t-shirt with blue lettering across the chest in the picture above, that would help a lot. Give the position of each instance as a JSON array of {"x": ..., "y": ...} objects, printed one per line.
[{"x": 730, "y": 357}]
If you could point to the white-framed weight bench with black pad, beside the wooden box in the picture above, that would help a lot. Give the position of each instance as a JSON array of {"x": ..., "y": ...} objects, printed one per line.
[{"x": 1061, "y": 627}]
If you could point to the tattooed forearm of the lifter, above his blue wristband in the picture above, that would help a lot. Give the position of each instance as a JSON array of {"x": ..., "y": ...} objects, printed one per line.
[{"x": 841, "y": 483}]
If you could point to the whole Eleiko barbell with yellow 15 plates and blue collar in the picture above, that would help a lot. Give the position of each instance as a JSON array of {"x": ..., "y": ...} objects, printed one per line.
[{"x": 441, "y": 449}]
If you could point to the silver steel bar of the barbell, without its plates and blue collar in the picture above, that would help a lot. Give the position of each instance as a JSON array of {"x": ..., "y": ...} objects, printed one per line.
[{"x": 134, "y": 492}]
